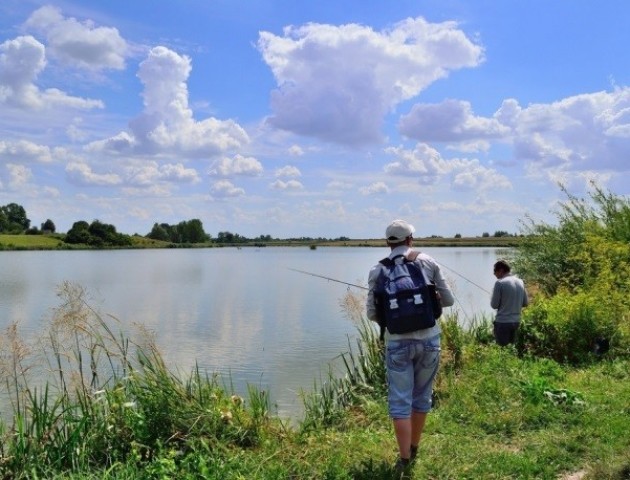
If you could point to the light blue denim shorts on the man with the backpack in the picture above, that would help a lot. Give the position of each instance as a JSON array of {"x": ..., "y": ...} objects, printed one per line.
[{"x": 411, "y": 369}]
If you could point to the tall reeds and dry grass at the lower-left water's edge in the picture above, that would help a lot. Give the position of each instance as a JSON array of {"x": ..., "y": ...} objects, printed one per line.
[{"x": 85, "y": 395}]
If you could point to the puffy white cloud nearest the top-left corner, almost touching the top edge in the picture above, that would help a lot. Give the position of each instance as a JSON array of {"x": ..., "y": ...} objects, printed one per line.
[{"x": 79, "y": 43}]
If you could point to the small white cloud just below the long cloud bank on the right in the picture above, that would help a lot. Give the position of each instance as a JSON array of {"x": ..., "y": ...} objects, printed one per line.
[{"x": 427, "y": 165}]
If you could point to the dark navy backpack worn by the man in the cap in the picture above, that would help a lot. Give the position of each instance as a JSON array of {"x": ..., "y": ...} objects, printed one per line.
[{"x": 405, "y": 301}]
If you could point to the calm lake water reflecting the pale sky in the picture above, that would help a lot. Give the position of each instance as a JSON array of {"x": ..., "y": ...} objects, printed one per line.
[{"x": 238, "y": 312}]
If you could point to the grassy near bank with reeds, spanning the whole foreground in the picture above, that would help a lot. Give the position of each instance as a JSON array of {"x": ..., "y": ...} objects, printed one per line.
[{"x": 112, "y": 409}]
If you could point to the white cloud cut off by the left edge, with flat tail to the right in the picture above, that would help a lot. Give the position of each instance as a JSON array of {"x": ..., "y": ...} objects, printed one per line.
[{"x": 21, "y": 61}]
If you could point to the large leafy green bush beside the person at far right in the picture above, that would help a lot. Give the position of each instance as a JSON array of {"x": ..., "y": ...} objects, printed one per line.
[{"x": 580, "y": 270}]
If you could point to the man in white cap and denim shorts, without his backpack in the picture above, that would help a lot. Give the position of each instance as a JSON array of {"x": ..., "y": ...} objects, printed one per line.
[{"x": 411, "y": 358}]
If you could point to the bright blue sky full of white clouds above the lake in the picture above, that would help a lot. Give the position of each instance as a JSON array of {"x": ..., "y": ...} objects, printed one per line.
[{"x": 320, "y": 118}]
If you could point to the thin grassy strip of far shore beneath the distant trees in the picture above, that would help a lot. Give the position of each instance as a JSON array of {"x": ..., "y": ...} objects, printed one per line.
[{"x": 55, "y": 242}]
